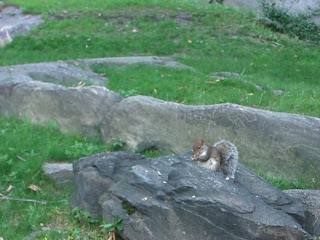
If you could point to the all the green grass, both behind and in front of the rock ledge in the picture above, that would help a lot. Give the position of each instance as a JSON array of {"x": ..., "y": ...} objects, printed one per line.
[{"x": 206, "y": 37}]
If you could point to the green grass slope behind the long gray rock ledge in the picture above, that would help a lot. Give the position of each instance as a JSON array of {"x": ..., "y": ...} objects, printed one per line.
[{"x": 206, "y": 37}]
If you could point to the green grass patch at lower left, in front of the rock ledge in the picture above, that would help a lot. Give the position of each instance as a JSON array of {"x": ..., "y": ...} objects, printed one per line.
[{"x": 23, "y": 150}]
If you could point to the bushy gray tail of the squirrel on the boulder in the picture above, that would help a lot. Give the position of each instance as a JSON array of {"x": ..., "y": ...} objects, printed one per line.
[{"x": 229, "y": 157}]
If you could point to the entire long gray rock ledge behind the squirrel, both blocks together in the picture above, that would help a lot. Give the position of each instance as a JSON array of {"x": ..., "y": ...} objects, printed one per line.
[{"x": 277, "y": 142}]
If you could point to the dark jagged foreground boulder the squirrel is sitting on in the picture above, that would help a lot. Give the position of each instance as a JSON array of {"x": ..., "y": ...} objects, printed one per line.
[{"x": 173, "y": 198}]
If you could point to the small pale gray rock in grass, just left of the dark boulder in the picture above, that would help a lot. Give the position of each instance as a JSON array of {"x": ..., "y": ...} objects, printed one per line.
[{"x": 60, "y": 173}]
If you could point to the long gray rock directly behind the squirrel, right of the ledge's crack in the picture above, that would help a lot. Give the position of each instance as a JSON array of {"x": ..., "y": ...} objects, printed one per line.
[{"x": 277, "y": 142}]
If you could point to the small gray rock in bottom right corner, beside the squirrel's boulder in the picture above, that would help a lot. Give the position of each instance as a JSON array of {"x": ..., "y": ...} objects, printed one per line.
[{"x": 311, "y": 198}]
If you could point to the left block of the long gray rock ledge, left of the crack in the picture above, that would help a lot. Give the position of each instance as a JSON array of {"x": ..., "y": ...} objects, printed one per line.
[{"x": 74, "y": 109}]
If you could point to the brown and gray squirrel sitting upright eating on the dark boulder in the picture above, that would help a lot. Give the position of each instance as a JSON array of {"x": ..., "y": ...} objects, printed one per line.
[{"x": 222, "y": 156}]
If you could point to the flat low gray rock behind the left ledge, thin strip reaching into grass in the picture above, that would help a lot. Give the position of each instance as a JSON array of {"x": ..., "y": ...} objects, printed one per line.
[{"x": 79, "y": 72}]
